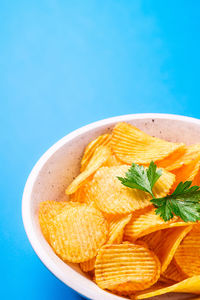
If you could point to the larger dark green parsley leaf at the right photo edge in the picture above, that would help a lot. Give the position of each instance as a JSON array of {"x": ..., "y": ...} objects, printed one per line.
[{"x": 184, "y": 202}]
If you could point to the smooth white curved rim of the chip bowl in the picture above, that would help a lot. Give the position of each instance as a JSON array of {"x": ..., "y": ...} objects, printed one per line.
[{"x": 26, "y": 198}]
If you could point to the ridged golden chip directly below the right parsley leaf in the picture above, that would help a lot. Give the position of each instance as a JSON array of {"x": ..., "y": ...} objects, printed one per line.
[{"x": 146, "y": 221}]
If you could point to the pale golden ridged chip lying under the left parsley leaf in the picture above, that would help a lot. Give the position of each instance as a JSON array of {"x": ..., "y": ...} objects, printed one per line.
[{"x": 112, "y": 197}]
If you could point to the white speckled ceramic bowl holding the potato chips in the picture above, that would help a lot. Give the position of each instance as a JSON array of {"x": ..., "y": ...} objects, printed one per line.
[{"x": 58, "y": 166}]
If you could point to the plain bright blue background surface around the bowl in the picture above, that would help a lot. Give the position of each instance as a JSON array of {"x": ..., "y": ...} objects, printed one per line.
[{"x": 64, "y": 64}]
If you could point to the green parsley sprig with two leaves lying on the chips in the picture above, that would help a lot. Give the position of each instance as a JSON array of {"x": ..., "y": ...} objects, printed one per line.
[{"x": 184, "y": 202}]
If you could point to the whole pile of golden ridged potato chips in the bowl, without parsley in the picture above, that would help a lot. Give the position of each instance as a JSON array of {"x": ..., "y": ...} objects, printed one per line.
[{"x": 112, "y": 231}]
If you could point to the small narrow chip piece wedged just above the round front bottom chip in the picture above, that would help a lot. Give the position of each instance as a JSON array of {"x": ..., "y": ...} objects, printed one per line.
[{"x": 116, "y": 228}]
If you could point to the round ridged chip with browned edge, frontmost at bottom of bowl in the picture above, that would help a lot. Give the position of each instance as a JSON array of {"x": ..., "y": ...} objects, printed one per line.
[{"x": 126, "y": 268}]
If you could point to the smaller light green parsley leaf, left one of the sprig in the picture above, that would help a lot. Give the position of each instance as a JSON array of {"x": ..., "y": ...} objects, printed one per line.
[{"x": 140, "y": 178}]
